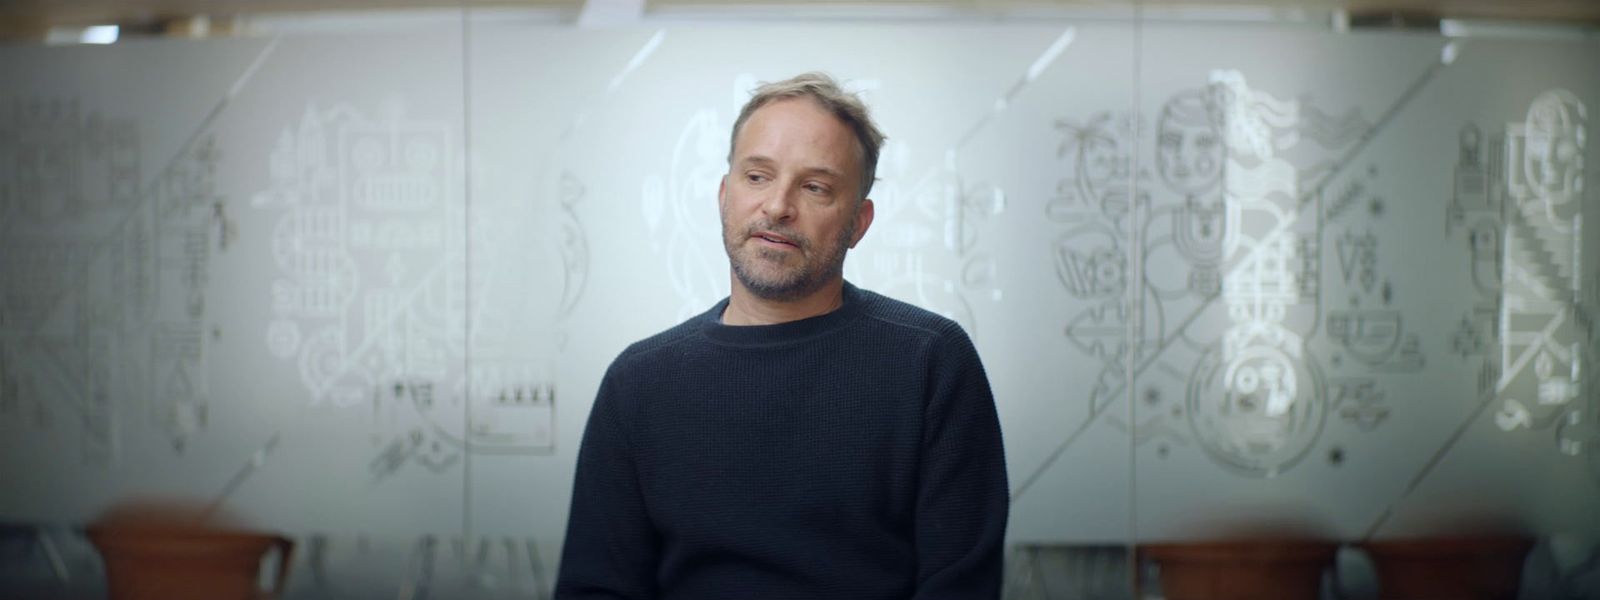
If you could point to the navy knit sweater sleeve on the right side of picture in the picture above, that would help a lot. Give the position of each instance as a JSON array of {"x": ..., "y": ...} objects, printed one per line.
[{"x": 962, "y": 498}]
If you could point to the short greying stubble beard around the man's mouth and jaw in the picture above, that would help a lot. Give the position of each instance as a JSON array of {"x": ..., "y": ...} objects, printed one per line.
[{"x": 764, "y": 274}]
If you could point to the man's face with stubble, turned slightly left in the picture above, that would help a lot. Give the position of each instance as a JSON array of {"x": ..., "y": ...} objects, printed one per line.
[{"x": 788, "y": 204}]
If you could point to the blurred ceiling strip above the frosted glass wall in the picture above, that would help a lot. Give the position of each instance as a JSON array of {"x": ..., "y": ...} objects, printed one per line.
[{"x": 23, "y": 20}]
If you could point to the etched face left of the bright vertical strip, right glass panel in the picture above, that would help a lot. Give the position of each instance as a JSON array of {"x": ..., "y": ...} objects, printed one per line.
[{"x": 1188, "y": 146}]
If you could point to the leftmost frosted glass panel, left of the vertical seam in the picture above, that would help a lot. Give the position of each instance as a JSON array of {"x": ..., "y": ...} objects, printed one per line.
[{"x": 234, "y": 276}]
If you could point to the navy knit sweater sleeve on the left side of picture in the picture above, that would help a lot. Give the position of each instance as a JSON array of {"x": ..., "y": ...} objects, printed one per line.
[{"x": 612, "y": 548}]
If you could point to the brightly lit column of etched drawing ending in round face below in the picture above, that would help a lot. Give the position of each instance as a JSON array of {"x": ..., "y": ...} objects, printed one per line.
[{"x": 1257, "y": 401}]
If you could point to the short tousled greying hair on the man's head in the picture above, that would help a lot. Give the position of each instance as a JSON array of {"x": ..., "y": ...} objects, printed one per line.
[{"x": 826, "y": 92}]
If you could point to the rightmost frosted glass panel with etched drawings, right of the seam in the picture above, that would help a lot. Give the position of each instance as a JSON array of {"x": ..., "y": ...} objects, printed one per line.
[{"x": 1369, "y": 258}]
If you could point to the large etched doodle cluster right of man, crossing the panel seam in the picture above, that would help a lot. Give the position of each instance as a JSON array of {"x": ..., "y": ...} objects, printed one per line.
[{"x": 1226, "y": 271}]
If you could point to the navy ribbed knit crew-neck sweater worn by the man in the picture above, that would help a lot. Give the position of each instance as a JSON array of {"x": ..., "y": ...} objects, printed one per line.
[{"x": 854, "y": 455}]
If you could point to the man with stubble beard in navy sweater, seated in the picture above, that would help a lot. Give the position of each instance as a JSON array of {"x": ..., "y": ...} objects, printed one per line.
[{"x": 802, "y": 439}]
